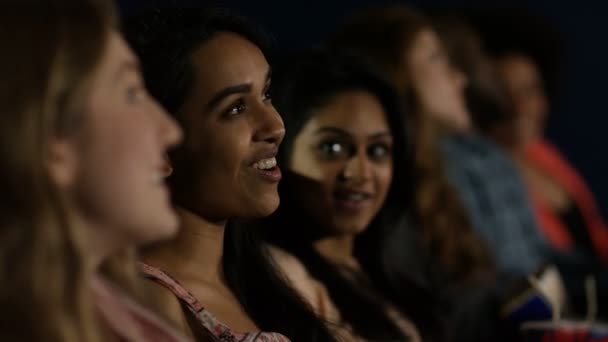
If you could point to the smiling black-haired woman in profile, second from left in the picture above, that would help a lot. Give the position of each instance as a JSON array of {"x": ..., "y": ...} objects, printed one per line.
[{"x": 210, "y": 71}]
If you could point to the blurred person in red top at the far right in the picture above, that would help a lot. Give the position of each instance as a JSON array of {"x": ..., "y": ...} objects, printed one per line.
[{"x": 565, "y": 208}]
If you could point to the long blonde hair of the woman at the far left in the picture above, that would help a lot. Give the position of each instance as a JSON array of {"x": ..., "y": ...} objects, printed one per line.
[{"x": 50, "y": 51}]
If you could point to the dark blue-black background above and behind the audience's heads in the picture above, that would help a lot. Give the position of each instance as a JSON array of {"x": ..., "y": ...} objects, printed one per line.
[{"x": 567, "y": 38}]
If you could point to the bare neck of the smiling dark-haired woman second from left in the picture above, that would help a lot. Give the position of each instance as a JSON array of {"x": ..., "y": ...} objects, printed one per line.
[{"x": 195, "y": 253}]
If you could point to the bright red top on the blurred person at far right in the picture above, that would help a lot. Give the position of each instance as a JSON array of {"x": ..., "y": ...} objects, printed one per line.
[{"x": 547, "y": 158}]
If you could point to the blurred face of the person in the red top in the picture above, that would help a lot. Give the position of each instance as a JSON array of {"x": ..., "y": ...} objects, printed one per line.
[{"x": 525, "y": 89}]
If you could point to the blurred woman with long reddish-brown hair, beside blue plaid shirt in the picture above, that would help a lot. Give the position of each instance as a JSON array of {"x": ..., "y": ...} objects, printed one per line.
[{"x": 403, "y": 46}]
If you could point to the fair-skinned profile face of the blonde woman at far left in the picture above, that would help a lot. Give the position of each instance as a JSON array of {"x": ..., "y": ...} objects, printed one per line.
[{"x": 112, "y": 165}]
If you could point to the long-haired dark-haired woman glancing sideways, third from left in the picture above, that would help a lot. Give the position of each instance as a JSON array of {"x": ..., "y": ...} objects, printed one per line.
[{"x": 345, "y": 192}]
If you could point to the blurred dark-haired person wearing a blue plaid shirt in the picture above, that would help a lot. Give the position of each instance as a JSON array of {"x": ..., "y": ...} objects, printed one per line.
[{"x": 484, "y": 174}]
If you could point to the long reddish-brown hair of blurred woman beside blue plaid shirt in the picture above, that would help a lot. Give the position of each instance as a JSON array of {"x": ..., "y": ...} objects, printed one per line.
[{"x": 384, "y": 36}]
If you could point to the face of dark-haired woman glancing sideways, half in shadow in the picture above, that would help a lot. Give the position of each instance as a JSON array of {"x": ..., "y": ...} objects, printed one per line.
[{"x": 345, "y": 151}]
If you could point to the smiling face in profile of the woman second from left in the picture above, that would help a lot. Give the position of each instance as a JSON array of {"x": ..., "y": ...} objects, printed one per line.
[{"x": 233, "y": 131}]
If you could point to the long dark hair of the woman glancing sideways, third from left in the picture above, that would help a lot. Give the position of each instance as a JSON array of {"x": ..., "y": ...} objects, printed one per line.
[{"x": 302, "y": 84}]
